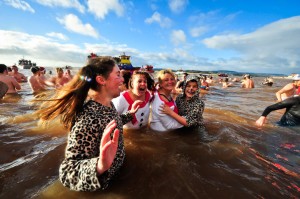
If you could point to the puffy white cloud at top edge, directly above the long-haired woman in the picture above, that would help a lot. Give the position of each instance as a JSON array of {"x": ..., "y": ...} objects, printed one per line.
[{"x": 101, "y": 8}]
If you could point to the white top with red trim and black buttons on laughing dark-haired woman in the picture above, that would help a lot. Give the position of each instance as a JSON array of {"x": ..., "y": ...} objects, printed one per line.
[{"x": 123, "y": 104}]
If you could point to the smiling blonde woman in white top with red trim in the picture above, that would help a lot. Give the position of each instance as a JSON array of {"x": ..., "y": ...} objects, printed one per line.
[{"x": 160, "y": 121}]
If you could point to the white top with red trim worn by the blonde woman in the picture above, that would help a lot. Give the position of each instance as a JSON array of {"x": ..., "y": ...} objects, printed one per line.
[{"x": 160, "y": 121}]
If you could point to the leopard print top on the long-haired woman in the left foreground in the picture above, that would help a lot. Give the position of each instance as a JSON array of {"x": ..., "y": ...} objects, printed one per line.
[{"x": 78, "y": 170}]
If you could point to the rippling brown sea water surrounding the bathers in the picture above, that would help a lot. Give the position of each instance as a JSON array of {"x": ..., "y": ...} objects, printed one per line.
[{"x": 230, "y": 158}]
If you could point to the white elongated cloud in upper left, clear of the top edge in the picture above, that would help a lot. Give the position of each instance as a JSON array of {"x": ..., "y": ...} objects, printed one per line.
[{"x": 74, "y": 24}]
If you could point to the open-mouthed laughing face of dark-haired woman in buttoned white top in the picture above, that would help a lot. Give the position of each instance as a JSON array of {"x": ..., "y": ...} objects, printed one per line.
[{"x": 139, "y": 85}]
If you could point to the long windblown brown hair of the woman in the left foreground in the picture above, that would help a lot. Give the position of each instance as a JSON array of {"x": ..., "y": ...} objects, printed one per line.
[{"x": 69, "y": 100}]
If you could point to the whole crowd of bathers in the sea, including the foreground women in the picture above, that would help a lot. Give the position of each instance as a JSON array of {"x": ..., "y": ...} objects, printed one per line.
[{"x": 100, "y": 100}]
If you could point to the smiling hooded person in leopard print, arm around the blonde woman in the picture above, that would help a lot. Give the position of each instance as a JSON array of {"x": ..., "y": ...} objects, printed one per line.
[{"x": 190, "y": 106}]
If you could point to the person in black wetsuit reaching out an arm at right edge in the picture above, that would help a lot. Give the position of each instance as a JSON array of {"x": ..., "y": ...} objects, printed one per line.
[{"x": 291, "y": 117}]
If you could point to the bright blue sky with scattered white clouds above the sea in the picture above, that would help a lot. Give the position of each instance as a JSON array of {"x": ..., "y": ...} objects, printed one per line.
[{"x": 238, "y": 35}]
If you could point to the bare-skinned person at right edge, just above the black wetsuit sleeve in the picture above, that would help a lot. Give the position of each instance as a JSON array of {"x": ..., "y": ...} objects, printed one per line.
[{"x": 290, "y": 89}]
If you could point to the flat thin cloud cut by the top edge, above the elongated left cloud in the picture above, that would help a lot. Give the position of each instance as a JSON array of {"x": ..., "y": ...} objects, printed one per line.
[{"x": 65, "y": 4}]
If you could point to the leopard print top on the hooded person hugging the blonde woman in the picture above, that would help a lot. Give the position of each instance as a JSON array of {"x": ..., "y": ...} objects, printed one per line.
[{"x": 192, "y": 110}]
